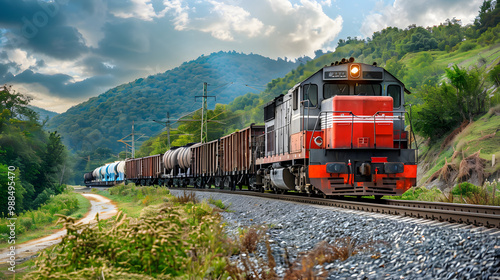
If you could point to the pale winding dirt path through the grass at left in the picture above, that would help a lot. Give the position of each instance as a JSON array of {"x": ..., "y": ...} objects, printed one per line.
[{"x": 99, "y": 204}]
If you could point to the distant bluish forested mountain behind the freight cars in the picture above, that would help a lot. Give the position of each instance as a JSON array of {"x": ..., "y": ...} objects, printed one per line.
[{"x": 102, "y": 120}]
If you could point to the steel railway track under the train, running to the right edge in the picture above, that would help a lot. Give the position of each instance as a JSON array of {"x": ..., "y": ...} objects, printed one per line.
[{"x": 477, "y": 215}]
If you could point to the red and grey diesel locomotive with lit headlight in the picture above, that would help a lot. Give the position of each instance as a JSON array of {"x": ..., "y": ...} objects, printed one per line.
[{"x": 341, "y": 131}]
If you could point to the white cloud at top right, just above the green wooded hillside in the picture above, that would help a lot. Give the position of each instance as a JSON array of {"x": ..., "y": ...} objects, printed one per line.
[{"x": 403, "y": 13}]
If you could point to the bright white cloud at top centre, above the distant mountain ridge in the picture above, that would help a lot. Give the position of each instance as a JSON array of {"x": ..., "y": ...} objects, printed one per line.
[{"x": 270, "y": 27}]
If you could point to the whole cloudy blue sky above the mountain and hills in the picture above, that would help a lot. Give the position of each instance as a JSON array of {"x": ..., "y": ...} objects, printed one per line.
[{"x": 63, "y": 52}]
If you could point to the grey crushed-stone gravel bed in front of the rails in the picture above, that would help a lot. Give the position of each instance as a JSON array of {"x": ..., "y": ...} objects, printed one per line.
[{"x": 401, "y": 250}]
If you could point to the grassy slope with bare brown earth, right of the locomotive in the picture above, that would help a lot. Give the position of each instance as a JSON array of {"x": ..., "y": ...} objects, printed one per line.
[{"x": 470, "y": 153}]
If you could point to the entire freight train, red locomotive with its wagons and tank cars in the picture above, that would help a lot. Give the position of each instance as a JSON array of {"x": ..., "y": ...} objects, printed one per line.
[{"x": 339, "y": 132}]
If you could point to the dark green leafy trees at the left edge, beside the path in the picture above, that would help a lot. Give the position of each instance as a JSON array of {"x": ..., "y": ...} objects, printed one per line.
[{"x": 32, "y": 162}]
